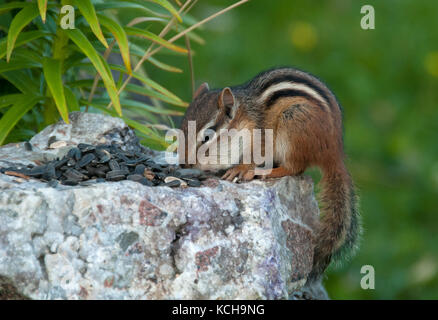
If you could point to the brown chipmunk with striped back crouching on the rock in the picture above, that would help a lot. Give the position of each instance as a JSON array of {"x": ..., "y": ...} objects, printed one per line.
[{"x": 306, "y": 121}]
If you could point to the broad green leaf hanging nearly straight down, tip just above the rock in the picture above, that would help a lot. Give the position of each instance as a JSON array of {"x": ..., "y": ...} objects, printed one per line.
[{"x": 53, "y": 73}]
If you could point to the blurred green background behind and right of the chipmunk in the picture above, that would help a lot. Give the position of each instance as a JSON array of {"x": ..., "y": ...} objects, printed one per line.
[{"x": 387, "y": 82}]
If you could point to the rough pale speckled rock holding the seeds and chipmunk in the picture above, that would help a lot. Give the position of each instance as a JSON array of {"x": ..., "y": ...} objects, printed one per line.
[{"x": 123, "y": 240}]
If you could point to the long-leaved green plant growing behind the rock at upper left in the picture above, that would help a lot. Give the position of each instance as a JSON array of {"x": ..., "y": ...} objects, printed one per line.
[{"x": 47, "y": 71}]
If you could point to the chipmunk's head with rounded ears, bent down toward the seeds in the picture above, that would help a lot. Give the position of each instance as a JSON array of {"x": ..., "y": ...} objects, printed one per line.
[{"x": 211, "y": 110}]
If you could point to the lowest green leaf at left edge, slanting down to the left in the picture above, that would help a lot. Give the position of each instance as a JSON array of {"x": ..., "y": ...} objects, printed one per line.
[{"x": 21, "y": 106}]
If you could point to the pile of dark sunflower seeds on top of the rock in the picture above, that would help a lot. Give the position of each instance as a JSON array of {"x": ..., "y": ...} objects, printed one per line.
[{"x": 88, "y": 164}]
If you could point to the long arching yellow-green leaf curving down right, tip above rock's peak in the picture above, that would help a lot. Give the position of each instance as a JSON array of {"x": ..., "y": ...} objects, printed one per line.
[{"x": 100, "y": 64}]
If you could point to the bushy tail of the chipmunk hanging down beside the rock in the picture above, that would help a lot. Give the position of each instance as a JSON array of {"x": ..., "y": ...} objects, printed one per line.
[{"x": 339, "y": 228}]
